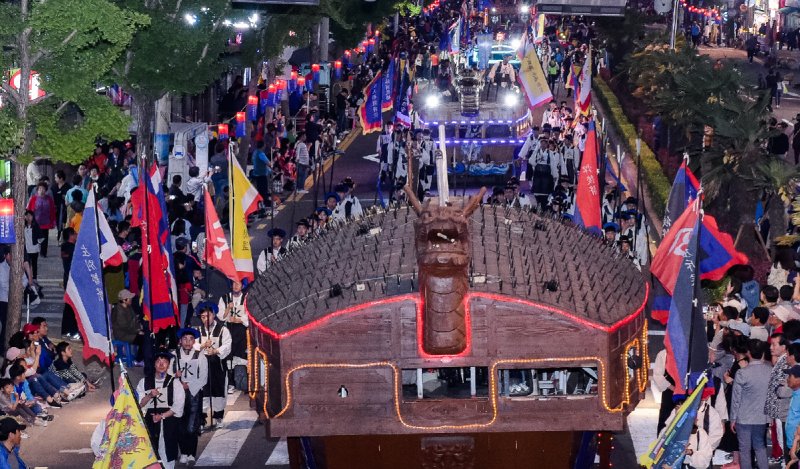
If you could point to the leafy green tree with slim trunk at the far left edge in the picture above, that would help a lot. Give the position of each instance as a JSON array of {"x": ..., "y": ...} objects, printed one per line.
[{"x": 70, "y": 44}]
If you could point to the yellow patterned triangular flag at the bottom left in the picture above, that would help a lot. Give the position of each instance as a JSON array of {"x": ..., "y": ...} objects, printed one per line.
[{"x": 125, "y": 442}]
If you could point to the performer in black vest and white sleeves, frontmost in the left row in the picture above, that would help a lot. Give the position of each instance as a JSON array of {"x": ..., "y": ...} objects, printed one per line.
[{"x": 162, "y": 401}]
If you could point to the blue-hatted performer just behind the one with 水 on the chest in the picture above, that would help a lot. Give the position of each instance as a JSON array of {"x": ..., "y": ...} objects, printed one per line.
[{"x": 215, "y": 342}]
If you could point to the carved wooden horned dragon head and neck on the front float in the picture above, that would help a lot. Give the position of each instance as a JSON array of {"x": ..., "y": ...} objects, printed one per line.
[{"x": 443, "y": 256}]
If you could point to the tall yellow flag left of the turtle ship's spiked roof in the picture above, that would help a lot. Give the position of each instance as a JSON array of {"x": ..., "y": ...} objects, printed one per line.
[{"x": 243, "y": 200}]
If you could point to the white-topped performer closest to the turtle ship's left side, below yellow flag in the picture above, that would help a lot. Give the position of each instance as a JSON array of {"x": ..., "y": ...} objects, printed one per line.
[{"x": 232, "y": 313}]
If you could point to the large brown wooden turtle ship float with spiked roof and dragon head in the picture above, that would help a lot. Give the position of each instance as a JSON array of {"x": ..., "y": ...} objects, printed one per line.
[{"x": 447, "y": 335}]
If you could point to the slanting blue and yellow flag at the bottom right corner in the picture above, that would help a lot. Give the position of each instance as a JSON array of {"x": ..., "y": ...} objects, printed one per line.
[{"x": 670, "y": 447}]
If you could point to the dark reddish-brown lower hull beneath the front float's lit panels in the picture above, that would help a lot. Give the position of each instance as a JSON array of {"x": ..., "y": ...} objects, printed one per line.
[{"x": 530, "y": 450}]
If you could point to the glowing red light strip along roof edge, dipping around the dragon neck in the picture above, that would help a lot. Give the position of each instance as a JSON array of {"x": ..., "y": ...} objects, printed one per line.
[{"x": 416, "y": 299}]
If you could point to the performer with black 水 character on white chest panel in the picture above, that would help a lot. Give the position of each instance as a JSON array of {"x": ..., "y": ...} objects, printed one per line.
[{"x": 192, "y": 371}]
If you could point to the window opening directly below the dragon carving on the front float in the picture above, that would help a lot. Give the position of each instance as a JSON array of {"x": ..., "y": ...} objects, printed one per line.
[{"x": 445, "y": 383}]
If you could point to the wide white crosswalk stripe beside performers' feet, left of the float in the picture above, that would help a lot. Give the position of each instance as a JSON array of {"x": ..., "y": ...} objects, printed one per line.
[{"x": 228, "y": 440}]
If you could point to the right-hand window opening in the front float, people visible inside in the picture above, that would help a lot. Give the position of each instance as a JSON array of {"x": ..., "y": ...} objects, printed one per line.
[{"x": 548, "y": 382}]
